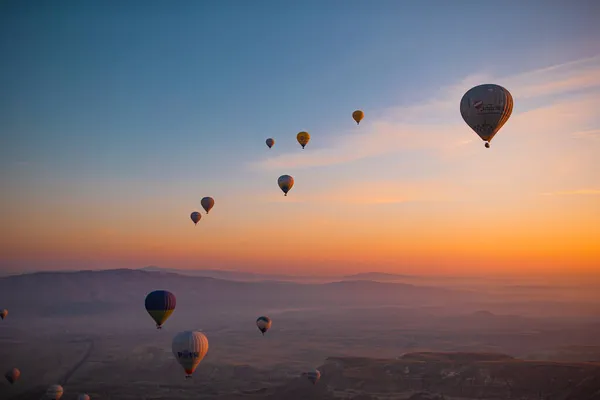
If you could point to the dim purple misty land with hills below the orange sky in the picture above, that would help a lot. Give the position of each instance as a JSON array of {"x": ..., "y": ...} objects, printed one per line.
[{"x": 104, "y": 344}]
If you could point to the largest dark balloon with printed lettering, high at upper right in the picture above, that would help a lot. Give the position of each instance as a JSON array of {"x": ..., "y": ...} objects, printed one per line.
[{"x": 486, "y": 108}]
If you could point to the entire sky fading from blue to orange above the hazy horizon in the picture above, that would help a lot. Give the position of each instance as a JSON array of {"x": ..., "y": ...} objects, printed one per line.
[{"x": 117, "y": 117}]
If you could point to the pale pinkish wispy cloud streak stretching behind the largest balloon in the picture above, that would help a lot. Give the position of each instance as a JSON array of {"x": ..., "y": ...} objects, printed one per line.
[{"x": 444, "y": 132}]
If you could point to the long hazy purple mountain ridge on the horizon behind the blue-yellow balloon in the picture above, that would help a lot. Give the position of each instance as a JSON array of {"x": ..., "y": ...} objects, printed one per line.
[{"x": 48, "y": 293}]
